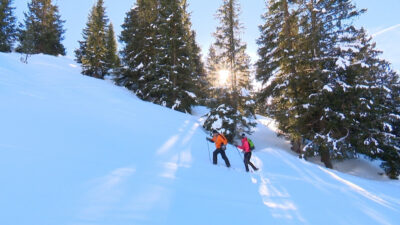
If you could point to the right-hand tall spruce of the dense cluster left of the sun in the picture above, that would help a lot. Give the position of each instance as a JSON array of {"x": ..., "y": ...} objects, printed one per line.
[{"x": 173, "y": 55}]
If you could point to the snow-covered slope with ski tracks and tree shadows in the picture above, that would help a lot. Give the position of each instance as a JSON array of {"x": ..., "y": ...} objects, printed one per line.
[{"x": 77, "y": 151}]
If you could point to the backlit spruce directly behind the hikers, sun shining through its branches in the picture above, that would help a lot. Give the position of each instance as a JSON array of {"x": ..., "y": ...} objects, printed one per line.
[{"x": 229, "y": 52}]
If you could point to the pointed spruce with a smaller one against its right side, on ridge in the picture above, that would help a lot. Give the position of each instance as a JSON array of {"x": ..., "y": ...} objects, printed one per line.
[{"x": 97, "y": 52}]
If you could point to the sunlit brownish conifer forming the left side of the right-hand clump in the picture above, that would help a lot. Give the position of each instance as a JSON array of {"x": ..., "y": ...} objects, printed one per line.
[{"x": 277, "y": 65}]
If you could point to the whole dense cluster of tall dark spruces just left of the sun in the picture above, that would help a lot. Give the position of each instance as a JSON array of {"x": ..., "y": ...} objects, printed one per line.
[{"x": 161, "y": 59}]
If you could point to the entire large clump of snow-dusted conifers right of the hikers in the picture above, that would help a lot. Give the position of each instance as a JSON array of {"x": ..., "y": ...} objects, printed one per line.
[{"x": 325, "y": 85}]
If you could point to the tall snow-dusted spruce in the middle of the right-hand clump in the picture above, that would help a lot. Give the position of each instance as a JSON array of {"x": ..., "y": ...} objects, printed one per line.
[{"x": 326, "y": 29}]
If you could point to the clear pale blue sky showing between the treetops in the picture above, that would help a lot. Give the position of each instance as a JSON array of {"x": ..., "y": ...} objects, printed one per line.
[{"x": 381, "y": 20}]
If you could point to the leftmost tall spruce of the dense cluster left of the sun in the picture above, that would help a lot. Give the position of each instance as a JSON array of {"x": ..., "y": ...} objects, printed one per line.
[{"x": 138, "y": 53}]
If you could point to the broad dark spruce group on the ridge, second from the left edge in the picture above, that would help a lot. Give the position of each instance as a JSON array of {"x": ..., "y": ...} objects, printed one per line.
[{"x": 43, "y": 29}]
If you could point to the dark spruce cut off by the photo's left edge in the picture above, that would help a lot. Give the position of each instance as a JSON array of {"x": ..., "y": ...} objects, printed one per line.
[{"x": 8, "y": 29}]
